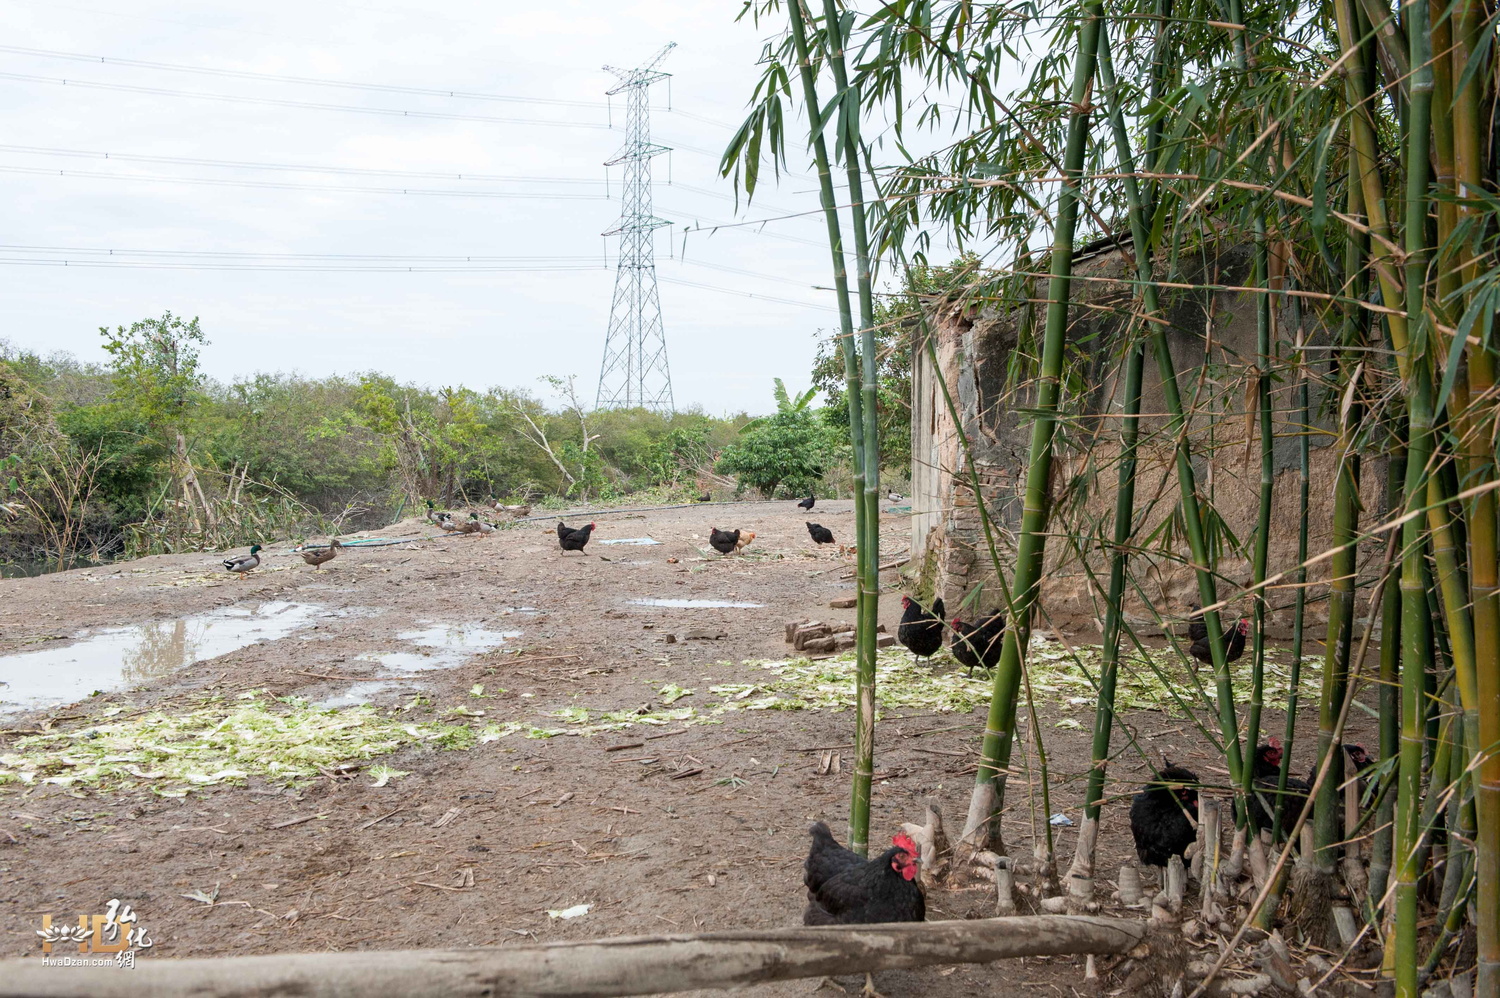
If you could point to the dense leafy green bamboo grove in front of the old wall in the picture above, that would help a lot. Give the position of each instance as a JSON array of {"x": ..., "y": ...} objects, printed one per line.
[{"x": 1351, "y": 149}]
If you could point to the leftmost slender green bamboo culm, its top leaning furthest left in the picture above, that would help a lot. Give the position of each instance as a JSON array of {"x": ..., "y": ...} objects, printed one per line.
[{"x": 865, "y": 723}]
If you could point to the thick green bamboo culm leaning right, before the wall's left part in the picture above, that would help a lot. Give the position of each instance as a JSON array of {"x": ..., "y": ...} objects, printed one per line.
[{"x": 982, "y": 829}]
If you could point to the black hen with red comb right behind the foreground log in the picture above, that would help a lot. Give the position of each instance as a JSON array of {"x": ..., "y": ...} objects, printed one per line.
[{"x": 845, "y": 889}]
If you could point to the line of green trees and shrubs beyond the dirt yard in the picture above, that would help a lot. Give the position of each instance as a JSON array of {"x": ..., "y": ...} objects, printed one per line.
[{"x": 146, "y": 454}]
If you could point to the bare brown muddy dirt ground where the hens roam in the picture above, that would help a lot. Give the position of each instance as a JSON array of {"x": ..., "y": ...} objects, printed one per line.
[{"x": 478, "y": 846}]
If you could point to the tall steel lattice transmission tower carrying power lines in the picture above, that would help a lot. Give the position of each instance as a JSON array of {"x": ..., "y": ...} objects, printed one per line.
[{"x": 635, "y": 373}]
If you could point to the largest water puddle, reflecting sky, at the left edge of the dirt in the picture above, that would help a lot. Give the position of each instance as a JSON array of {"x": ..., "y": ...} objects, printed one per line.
[{"x": 116, "y": 658}]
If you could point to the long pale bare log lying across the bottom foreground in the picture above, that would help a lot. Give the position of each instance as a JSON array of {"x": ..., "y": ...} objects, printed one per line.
[{"x": 599, "y": 969}]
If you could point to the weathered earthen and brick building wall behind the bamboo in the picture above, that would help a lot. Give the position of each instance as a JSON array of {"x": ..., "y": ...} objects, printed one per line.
[{"x": 974, "y": 355}]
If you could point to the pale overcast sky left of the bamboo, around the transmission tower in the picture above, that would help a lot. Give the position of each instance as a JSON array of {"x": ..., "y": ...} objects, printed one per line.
[{"x": 436, "y": 328}]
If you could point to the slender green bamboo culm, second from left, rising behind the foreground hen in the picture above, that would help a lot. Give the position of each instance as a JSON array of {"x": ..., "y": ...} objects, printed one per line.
[{"x": 868, "y": 556}]
